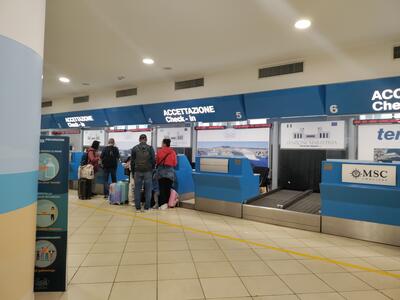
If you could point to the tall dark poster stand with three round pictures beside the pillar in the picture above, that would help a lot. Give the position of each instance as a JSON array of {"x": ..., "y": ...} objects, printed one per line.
[{"x": 52, "y": 215}]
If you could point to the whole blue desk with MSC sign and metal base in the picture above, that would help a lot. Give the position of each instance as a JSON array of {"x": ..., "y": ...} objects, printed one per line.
[{"x": 361, "y": 199}]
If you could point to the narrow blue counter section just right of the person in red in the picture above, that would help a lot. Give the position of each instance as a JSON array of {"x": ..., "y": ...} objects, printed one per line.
[{"x": 184, "y": 179}]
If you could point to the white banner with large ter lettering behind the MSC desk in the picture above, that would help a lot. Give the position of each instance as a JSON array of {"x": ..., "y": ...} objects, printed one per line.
[{"x": 379, "y": 142}]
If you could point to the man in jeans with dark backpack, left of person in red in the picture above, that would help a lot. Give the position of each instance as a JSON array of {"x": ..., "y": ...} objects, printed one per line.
[{"x": 142, "y": 164}]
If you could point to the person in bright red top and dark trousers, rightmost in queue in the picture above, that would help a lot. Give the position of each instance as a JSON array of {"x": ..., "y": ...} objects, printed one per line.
[{"x": 166, "y": 162}]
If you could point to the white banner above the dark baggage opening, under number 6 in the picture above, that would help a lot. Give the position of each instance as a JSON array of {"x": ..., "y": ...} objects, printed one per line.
[{"x": 313, "y": 135}]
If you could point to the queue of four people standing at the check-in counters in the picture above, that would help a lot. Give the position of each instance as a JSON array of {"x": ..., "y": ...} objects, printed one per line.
[{"x": 153, "y": 174}]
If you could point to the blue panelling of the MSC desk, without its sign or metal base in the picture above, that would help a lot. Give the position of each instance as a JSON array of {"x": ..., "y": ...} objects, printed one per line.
[{"x": 362, "y": 202}]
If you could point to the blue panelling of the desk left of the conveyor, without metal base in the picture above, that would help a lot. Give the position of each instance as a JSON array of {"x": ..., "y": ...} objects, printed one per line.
[{"x": 238, "y": 185}]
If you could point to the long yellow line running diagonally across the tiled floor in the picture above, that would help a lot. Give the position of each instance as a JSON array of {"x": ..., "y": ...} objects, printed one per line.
[{"x": 328, "y": 260}]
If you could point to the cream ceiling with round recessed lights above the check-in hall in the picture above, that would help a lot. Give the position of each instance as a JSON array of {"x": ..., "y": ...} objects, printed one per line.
[{"x": 95, "y": 41}]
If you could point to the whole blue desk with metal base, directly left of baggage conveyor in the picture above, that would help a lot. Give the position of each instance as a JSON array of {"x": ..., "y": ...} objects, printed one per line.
[{"x": 223, "y": 184}]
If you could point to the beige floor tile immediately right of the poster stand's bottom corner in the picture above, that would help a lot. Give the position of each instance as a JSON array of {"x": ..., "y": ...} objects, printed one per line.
[{"x": 94, "y": 274}]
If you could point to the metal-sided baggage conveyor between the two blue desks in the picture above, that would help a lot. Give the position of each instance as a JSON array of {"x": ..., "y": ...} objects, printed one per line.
[{"x": 297, "y": 209}]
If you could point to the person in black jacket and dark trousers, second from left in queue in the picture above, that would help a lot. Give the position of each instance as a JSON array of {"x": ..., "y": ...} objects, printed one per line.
[{"x": 109, "y": 160}]
